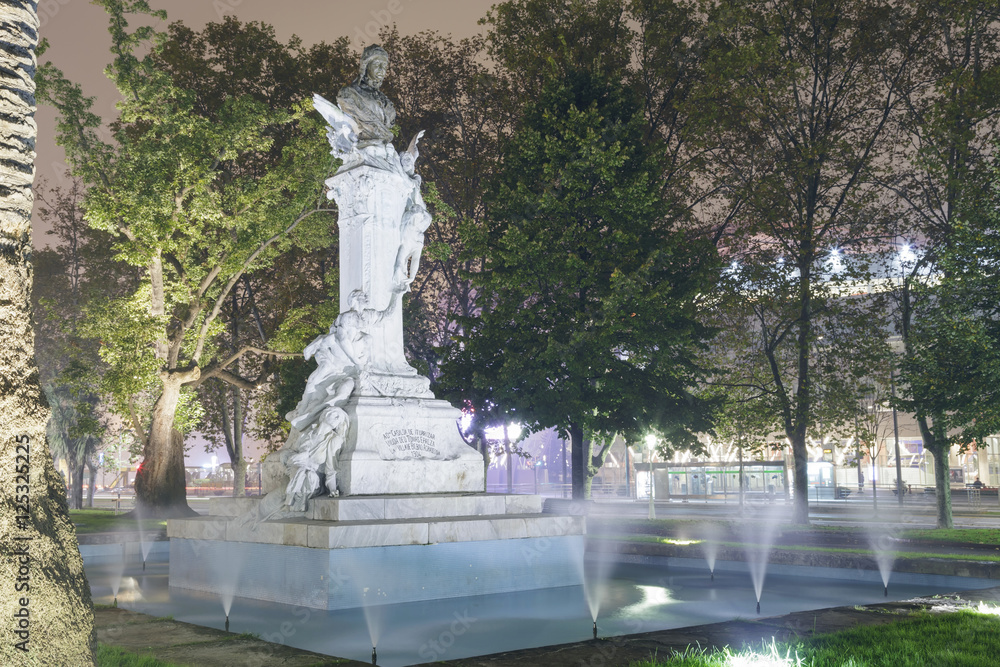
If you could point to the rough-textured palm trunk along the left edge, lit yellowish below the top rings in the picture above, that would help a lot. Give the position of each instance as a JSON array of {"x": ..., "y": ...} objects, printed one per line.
[{"x": 46, "y": 601}]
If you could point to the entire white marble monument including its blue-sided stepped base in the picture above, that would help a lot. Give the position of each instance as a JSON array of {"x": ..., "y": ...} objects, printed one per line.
[{"x": 375, "y": 476}]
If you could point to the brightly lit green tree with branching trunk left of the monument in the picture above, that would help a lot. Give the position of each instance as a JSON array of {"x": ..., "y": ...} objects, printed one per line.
[{"x": 197, "y": 195}]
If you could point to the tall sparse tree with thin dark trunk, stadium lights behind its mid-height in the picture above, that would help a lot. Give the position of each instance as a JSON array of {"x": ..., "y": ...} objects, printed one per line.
[{"x": 797, "y": 106}]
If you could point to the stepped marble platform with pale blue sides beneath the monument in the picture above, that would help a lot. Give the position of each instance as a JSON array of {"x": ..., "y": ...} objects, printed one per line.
[{"x": 358, "y": 551}]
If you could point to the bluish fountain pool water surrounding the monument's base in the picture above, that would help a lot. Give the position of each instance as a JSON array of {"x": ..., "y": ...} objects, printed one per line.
[{"x": 639, "y": 597}]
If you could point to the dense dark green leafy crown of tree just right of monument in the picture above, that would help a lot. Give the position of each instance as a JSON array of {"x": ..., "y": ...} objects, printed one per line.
[{"x": 586, "y": 290}]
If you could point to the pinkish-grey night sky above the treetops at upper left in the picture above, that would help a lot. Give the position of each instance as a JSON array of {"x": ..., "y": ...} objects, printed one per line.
[{"x": 79, "y": 41}]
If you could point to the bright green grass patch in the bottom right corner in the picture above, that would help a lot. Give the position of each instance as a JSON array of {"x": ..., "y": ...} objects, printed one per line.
[{"x": 964, "y": 638}]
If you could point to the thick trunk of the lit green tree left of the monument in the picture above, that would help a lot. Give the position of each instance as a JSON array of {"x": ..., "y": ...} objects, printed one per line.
[{"x": 160, "y": 488}]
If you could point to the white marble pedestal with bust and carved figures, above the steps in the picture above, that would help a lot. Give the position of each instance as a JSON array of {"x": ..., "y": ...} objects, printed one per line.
[{"x": 368, "y": 422}]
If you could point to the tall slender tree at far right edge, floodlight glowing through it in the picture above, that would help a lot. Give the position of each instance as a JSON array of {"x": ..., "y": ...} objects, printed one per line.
[{"x": 948, "y": 137}]
